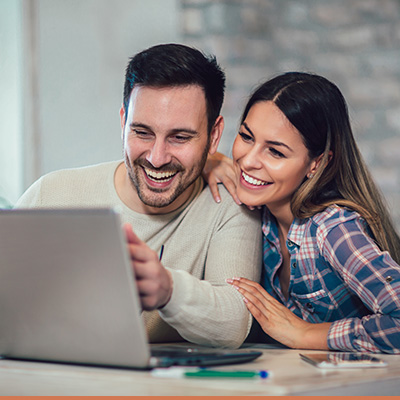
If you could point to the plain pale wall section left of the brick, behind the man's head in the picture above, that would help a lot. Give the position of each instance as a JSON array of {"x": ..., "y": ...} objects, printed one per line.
[{"x": 84, "y": 48}]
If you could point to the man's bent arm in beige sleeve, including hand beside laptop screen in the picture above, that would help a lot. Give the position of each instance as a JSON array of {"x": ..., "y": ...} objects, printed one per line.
[{"x": 209, "y": 311}]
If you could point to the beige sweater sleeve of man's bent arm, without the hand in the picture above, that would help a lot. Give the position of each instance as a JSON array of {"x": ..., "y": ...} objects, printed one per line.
[{"x": 209, "y": 311}]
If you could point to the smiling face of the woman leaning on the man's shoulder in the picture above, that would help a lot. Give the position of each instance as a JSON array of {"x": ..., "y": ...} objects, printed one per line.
[{"x": 270, "y": 158}]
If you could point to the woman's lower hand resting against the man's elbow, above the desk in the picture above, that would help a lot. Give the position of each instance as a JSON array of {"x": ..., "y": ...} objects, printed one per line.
[{"x": 278, "y": 321}]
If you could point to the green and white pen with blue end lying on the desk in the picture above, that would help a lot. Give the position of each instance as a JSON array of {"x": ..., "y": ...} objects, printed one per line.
[{"x": 178, "y": 372}]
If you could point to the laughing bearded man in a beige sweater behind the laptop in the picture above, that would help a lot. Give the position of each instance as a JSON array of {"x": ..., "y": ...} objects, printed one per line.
[{"x": 170, "y": 122}]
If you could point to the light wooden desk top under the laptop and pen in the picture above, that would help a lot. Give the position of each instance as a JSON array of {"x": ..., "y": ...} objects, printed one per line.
[{"x": 290, "y": 376}]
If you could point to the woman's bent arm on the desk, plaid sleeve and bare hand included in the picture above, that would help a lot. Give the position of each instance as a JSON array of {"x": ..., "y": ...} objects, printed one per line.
[{"x": 369, "y": 273}]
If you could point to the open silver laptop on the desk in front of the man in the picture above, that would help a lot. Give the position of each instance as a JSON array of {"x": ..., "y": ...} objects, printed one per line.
[{"x": 67, "y": 294}]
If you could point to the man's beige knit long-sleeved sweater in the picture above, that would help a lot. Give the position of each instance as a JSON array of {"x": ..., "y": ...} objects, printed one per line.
[{"x": 205, "y": 243}]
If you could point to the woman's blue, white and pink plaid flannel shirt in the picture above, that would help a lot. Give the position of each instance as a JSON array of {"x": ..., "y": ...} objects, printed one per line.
[{"x": 338, "y": 275}]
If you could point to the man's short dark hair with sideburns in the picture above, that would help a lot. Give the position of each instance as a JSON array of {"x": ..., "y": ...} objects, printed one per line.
[{"x": 177, "y": 65}]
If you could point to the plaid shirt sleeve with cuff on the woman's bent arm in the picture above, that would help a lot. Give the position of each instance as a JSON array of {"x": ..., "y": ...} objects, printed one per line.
[{"x": 374, "y": 277}]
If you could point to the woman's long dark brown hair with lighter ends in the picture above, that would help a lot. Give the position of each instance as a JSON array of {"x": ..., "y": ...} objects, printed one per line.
[{"x": 318, "y": 110}]
